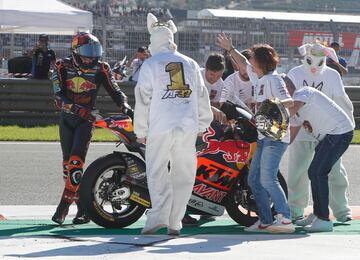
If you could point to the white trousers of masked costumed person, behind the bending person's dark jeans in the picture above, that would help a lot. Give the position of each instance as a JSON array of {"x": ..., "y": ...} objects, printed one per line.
[{"x": 301, "y": 154}]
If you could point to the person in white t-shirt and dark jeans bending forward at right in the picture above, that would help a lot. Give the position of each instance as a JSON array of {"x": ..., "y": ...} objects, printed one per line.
[{"x": 327, "y": 123}]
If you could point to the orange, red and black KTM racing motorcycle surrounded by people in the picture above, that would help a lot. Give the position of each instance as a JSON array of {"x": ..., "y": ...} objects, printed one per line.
[{"x": 114, "y": 191}]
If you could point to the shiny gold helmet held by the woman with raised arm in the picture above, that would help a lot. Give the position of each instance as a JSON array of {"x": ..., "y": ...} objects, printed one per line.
[{"x": 272, "y": 119}]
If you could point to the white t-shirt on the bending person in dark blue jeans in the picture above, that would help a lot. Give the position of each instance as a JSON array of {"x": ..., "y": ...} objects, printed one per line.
[{"x": 323, "y": 114}]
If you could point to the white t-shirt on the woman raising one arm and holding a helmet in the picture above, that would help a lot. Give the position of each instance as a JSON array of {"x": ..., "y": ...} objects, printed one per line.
[{"x": 269, "y": 86}]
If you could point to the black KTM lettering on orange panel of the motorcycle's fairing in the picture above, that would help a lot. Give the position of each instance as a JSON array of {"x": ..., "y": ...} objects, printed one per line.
[{"x": 215, "y": 174}]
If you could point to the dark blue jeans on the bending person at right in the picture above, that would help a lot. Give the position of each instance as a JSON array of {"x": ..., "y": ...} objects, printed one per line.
[{"x": 327, "y": 152}]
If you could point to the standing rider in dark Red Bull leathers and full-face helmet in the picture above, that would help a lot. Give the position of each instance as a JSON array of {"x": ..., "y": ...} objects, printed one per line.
[{"x": 76, "y": 82}]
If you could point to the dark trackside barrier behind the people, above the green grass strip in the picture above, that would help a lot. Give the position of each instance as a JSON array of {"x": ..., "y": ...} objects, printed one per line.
[{"x": 28, "y": 102}]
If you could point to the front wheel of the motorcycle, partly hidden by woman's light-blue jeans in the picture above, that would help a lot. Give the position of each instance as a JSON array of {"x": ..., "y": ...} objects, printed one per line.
[{"x": 242, "y": 214}]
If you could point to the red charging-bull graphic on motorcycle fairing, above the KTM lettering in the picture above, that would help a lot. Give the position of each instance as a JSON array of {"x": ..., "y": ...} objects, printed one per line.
[{"x": 233, "y": 150}]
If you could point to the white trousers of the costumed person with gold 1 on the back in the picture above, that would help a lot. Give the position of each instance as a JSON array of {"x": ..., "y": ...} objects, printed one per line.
[{"x": 170, "y": 191}]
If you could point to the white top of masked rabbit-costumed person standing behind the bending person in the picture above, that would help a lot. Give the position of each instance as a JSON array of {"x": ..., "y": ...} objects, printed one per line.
[{"x": 328, "y": 82}]
